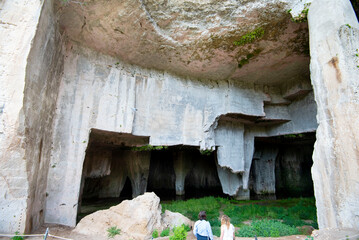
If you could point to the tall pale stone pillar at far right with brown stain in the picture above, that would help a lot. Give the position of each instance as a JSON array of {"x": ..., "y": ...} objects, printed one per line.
[{"x": 334, "y": 44}]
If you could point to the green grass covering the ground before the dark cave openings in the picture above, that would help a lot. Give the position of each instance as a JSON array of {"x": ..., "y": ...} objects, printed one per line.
[{"x": 291, "y": 212}]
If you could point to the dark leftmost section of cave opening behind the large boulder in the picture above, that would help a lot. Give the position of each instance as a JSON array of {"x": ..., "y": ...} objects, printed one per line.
[{"x": 111, "y": 172}]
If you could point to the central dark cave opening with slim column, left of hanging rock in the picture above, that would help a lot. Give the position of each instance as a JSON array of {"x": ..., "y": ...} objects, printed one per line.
[{"x": 183, "y": 172}]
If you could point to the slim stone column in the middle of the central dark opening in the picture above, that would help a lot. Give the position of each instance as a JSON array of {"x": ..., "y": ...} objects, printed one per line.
[{"x": 181, "y": 165}]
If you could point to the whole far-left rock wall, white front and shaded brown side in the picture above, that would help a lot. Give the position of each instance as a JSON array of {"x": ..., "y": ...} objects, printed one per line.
[{"x": 29, "y": 70}]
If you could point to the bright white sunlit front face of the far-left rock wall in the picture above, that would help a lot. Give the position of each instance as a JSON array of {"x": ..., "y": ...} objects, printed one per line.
[{"x": 18, "y": 27}]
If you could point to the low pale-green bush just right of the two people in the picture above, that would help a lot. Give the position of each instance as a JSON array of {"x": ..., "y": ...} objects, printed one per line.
[{"x": 266, "y": 228}]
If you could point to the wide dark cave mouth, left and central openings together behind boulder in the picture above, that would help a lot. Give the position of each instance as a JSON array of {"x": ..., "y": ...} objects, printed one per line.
[{"x": 120, "y": 166}]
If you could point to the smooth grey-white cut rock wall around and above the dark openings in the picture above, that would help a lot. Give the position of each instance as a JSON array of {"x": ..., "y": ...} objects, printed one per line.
[{"x": 100, "y": 92}]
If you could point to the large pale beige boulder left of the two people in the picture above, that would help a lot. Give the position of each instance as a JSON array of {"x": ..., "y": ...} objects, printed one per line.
[{"x": 136, "y": 218}]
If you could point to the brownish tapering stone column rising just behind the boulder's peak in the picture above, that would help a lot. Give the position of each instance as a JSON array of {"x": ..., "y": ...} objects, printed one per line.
[{"x": 138, "y": 167}]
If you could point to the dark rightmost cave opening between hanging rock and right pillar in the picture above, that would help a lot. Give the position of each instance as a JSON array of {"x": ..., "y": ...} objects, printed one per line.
[{"x": 281, "y": 166}]
